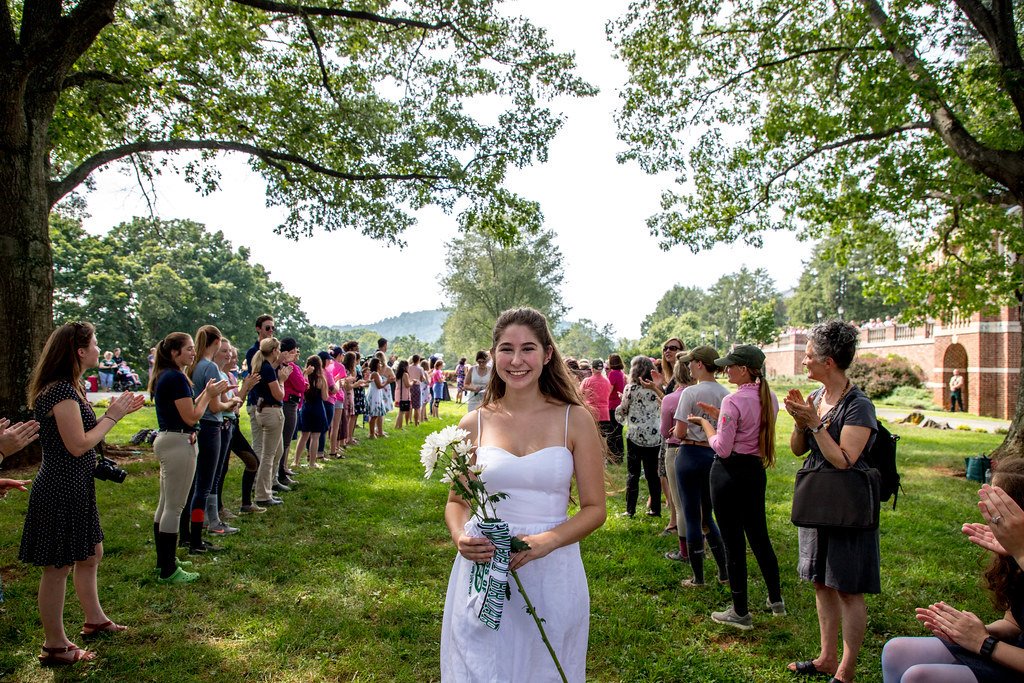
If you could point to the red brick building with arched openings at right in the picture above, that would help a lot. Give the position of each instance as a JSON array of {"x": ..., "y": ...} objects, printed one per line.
[{"x": 988, "y": 348}]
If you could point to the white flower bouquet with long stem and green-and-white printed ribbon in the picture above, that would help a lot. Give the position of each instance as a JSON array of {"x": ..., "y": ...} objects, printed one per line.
[{"x": 451, "y": 446}]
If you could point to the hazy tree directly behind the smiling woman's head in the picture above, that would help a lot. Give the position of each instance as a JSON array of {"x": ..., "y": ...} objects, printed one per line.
[{"x": 483, "y": 278}]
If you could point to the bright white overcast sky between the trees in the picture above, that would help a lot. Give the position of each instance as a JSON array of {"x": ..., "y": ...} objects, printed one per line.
[{"x": 615, "y": 271}]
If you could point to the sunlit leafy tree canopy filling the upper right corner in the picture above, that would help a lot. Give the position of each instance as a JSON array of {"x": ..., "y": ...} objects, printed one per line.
[{"x": 899, "y": 125}]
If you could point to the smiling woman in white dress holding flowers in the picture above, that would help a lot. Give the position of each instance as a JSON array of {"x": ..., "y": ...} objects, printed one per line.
[{"x": 533, "y": 435}]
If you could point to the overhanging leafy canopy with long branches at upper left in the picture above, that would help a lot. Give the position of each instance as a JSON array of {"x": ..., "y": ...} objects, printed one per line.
[{"x": 354, "y": 117}]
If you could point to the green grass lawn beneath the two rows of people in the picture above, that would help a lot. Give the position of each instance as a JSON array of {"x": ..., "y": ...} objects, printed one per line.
[{"x": 347, "y": 581}]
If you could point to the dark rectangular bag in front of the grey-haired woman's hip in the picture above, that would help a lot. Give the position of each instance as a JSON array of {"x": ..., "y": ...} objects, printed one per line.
[{"x": 825, "y": 497}]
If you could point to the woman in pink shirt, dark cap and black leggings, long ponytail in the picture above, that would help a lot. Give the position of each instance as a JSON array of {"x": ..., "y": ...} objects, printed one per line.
[{"x": 745, "y": 447}]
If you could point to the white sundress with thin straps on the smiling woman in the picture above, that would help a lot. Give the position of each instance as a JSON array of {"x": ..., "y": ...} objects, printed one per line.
[{"x": 538, "y": 485}]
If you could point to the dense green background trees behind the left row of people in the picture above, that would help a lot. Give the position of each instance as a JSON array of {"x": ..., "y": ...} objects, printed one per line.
[{"x": 149, "y": 278}]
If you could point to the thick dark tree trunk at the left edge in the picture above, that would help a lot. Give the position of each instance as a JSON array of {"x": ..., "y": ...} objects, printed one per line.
[{"x": 26, "y": 263}]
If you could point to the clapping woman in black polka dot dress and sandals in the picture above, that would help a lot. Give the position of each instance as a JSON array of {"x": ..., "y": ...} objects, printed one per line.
[{"x": 62, "y": 527}]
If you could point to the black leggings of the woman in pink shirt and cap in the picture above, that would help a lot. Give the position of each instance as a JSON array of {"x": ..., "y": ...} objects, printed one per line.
[{"x": 738, "y": 494}]
